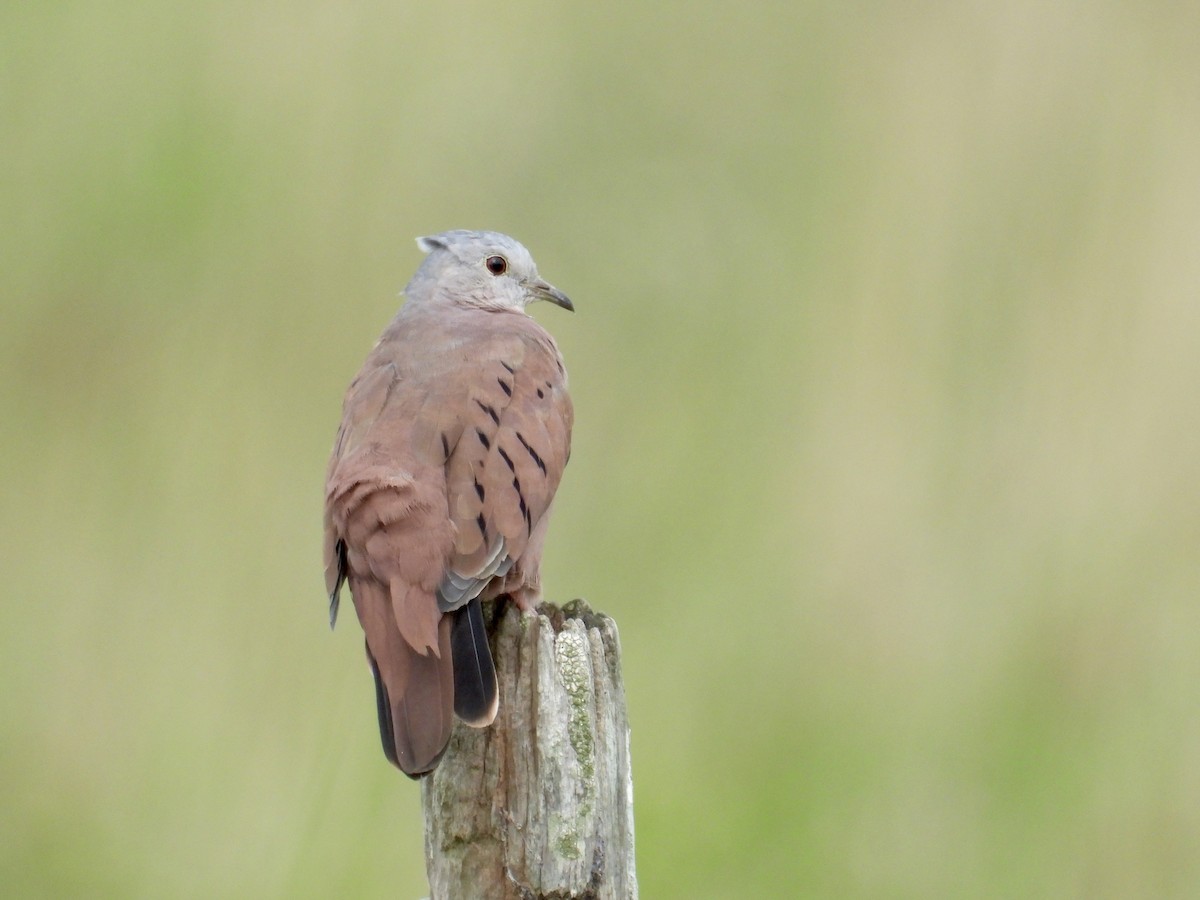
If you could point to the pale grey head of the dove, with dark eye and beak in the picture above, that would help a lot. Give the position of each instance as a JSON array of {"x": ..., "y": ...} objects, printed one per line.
[{"x": 481, "y": 269}]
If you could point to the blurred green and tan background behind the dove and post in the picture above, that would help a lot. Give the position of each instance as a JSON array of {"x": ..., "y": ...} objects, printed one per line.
[{"x": 887, "y": 459}]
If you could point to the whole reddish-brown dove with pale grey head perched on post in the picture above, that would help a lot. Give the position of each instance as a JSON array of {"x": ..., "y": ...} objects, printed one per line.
[{"x": 452, "y": 446}]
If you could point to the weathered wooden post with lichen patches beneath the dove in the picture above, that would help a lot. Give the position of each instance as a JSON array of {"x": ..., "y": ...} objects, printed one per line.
[{"x": 541, "y": 805}]
